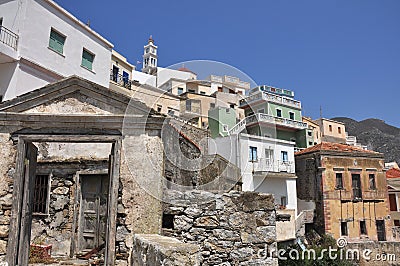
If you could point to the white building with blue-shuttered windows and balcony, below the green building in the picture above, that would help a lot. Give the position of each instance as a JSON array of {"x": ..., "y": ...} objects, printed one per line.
[{"x": 267, "y": 165}]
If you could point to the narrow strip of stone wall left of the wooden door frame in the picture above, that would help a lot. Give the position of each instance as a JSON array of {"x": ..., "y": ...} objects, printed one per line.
[{"x": 8, "y": 153}]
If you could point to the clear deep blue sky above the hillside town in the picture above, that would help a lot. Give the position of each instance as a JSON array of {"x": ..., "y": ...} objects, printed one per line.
[{"x": 343, "y": 55}]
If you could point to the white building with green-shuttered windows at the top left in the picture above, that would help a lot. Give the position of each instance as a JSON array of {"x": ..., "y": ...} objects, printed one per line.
[{"x": 40, "y": 43}]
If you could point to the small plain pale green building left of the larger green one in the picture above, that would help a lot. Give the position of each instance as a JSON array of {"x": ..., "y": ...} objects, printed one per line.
[{"x": 220, "y": 120}]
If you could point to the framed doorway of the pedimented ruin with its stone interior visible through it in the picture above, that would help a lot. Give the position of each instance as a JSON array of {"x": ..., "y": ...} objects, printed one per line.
[{"x": 66, "y": 191}]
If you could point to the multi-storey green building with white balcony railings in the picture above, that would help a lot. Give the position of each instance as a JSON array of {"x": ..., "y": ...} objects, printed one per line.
[{"x": 273, "y": 112}]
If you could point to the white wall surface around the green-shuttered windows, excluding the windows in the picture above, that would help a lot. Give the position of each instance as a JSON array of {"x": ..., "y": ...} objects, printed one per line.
[{"x": 32, "y": 20}]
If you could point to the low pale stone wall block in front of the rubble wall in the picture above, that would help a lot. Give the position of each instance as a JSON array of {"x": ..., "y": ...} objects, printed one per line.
[{"x": 156, "y": 250}]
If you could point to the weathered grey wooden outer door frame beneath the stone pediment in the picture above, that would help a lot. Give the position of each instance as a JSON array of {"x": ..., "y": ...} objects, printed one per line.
[{"x": 17, "y": 244}]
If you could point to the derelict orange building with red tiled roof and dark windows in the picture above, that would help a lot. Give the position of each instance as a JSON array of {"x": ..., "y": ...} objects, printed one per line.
[{"x": 347, "y": 187}]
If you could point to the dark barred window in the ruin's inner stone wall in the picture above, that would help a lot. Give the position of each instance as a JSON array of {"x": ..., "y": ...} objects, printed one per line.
[{"x": 40, "y": 196}]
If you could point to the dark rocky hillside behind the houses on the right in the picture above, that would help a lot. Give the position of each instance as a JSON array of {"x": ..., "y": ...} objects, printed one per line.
[{"x": 376, "y": 134}]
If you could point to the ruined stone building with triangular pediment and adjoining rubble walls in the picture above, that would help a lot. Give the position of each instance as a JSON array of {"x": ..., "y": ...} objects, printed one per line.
[{"x": 85, "y": 170}]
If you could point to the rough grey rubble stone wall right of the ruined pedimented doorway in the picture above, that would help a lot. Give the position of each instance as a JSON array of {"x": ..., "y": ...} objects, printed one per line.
[{"x": 233, "y": 228}]
